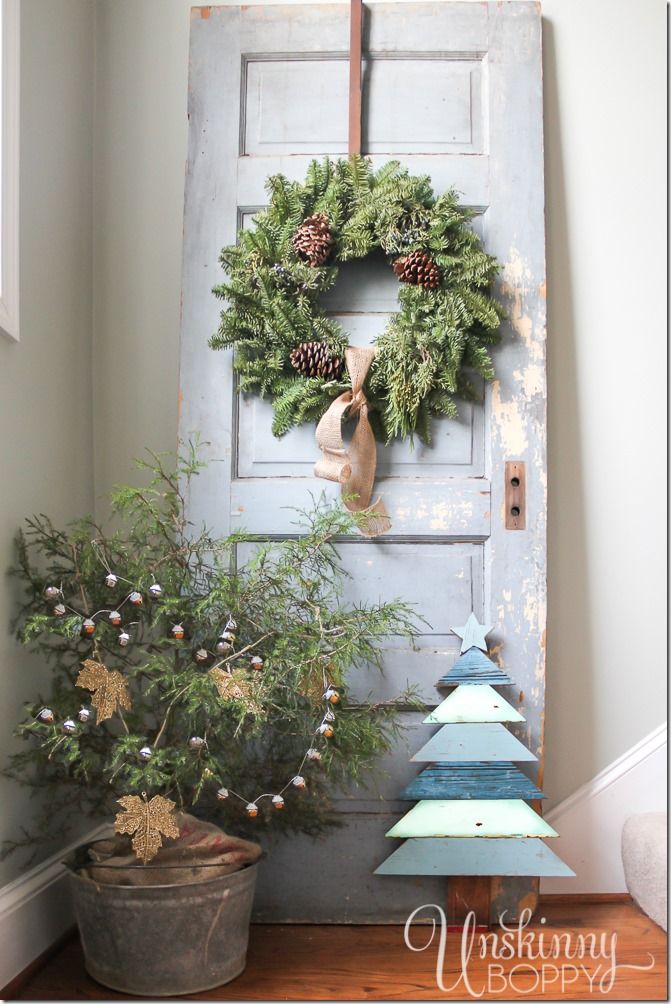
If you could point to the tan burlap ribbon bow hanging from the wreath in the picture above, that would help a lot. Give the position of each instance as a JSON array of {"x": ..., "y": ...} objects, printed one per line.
[{"x": 355, "y": 467}]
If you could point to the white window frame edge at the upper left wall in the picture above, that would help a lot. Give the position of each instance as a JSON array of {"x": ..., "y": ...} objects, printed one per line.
[{"x": 10, "y": 169}]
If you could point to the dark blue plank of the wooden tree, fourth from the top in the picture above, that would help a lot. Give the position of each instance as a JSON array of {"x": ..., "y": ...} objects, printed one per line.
[{"x": 472, "y": 781}]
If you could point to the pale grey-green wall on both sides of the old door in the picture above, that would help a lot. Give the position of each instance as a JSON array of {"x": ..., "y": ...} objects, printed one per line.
[{"x": 605, "y": 85}]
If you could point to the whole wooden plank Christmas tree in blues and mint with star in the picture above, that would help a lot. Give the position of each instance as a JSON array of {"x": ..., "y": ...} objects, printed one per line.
[{"x": 473, "y": 822}]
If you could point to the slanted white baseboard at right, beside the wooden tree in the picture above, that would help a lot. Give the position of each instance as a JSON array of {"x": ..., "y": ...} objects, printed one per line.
[{"x": 590, "y": 822}]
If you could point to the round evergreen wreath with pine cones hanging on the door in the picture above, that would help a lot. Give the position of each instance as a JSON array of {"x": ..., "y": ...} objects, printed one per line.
[{"x": 290, "y": 351}]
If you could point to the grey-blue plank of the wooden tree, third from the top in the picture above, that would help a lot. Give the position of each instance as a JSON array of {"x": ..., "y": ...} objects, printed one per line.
[{"x": 489, "y": 741}]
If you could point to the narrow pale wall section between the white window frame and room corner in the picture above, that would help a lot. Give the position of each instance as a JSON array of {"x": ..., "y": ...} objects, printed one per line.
[{"x": 47, "y": 446}]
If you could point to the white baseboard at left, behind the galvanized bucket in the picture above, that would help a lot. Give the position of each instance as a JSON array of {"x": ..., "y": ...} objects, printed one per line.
[{"x": 36, "y": 910}]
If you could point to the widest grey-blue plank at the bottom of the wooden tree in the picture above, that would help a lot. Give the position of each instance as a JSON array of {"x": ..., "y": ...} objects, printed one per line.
[{"x": 475, "y": 857}]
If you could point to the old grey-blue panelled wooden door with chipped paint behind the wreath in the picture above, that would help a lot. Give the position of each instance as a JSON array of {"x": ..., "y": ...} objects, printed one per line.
[{"x": 454, "y": 91}]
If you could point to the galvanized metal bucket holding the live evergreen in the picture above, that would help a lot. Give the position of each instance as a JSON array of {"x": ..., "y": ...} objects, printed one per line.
[{"x": 160, "y": 941}]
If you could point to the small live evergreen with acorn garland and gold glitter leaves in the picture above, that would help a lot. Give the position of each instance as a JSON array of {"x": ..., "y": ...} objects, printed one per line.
[{"x": 177, "y": 672}]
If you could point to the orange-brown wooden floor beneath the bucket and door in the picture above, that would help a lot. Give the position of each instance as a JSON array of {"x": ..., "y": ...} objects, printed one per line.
[{"x": 373, "y": 963}]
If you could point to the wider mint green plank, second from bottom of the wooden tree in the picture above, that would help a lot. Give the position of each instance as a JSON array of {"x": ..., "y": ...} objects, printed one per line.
[{"x": 476, "y": 818}]
